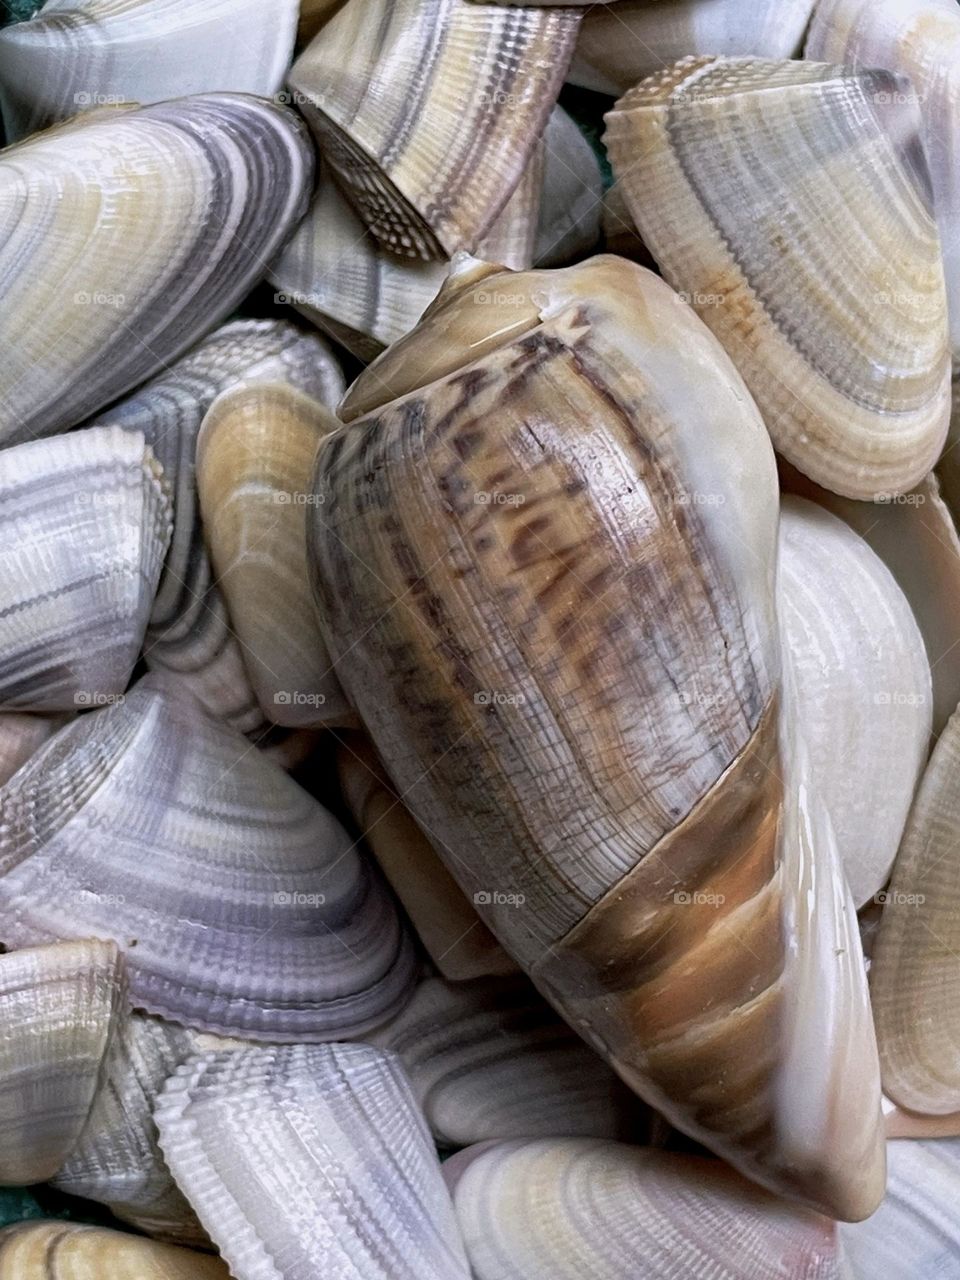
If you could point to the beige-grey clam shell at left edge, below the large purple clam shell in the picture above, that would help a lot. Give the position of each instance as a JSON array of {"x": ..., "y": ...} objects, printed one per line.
[{"x": 58, "y": 1011}]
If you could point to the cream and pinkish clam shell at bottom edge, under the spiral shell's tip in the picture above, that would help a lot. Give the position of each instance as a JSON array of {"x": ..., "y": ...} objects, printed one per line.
[{"x": 592, "y": 1210}]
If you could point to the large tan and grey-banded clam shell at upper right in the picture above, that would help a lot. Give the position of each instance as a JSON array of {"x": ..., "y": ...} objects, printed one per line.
[{"x": 790, "y": 203}]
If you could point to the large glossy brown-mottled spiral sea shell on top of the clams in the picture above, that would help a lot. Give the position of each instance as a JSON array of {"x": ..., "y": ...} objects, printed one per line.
[{"x": 546, "y": 570}]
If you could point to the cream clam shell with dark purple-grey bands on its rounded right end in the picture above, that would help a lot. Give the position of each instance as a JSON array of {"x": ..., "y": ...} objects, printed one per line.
[{"x": 135, "y": 232}]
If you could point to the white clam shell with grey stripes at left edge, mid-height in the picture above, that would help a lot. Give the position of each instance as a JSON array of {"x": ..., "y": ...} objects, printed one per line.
[{"x": 85, "y": 524}]
